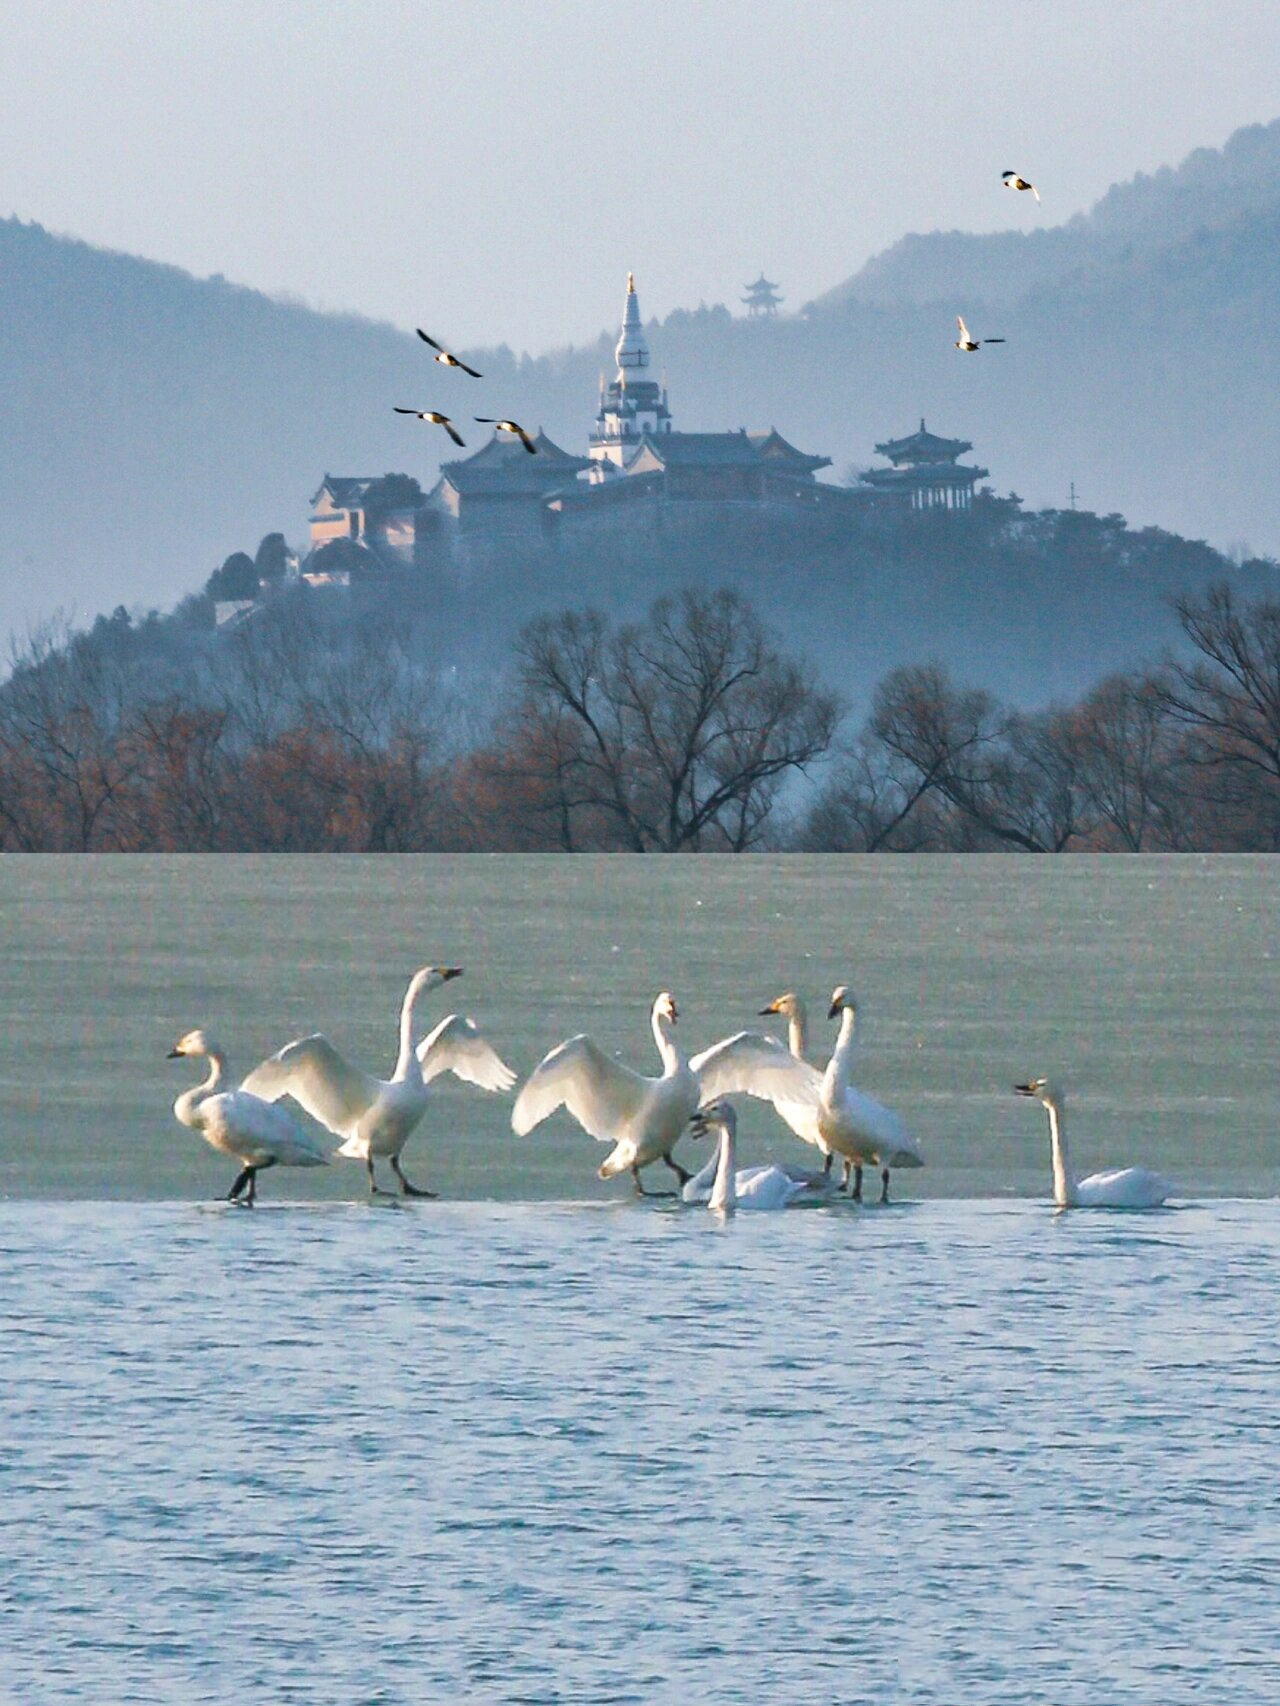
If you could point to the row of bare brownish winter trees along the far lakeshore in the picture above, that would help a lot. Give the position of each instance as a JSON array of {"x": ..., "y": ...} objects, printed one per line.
[{"x": 687, "y": 731}]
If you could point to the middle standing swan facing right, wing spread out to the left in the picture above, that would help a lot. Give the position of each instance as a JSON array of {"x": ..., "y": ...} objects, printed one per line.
[{"x": 641, "y": 1117}]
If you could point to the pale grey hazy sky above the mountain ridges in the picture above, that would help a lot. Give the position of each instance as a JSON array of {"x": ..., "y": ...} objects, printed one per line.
[{"x": 494, "y": 170}]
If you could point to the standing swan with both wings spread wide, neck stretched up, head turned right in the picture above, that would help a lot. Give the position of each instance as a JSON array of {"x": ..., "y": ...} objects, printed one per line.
[{"x": 376, "y": 1117}]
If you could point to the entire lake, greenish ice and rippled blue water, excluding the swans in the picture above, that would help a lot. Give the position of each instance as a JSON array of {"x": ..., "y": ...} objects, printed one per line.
[{"x": 542, "y": 1442}]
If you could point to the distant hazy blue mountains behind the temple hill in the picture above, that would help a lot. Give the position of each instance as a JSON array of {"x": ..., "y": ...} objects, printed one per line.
[{"x": 154, "y": 422}]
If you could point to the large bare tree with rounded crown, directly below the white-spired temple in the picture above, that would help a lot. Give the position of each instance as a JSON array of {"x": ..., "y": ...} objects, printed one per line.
[{"x": 677, "y": 733}]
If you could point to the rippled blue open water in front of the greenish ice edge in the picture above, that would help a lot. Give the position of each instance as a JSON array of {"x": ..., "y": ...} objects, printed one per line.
[{"x": 622, "y": 1453}]
